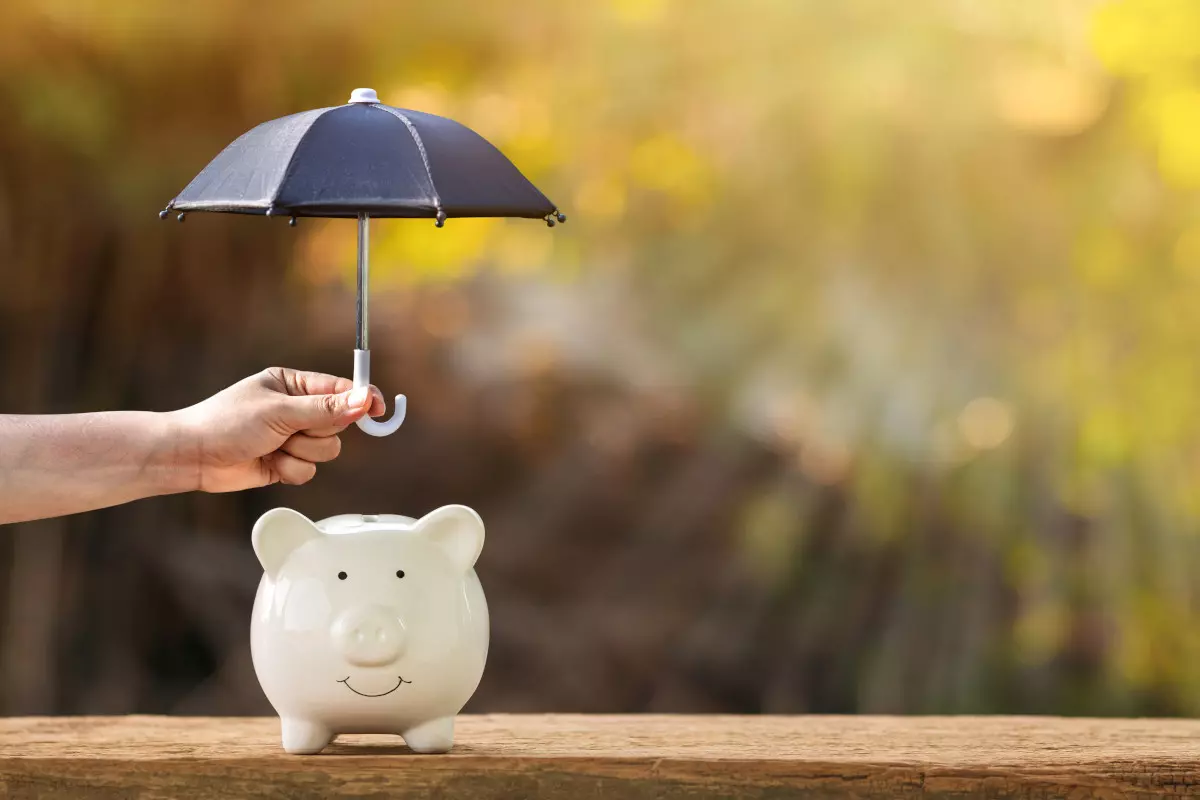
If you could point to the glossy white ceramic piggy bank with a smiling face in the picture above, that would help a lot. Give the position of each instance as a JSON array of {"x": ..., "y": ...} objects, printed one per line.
[{"x": 369, "y": 624}]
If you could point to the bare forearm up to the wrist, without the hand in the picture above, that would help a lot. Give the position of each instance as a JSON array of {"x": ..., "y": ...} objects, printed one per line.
[{"x": 53, "y": 466}]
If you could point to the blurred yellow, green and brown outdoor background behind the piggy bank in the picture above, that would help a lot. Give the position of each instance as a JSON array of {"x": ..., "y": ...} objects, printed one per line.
[{"x": 861, "y": 381}]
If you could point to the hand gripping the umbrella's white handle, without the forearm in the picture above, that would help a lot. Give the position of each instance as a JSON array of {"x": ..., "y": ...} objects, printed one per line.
[{"x": 274, "y": 428}]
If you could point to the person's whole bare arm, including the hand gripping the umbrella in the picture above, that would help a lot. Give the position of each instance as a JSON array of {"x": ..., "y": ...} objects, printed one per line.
[{"x": 275, "y": 426}]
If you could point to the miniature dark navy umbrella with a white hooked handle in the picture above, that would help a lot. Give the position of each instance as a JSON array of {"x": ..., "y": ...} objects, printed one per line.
[{"x": 364, "y": 160}]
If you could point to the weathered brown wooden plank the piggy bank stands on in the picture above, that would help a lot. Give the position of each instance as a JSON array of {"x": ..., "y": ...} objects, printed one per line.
[{"x": 574, "y": 757}]
